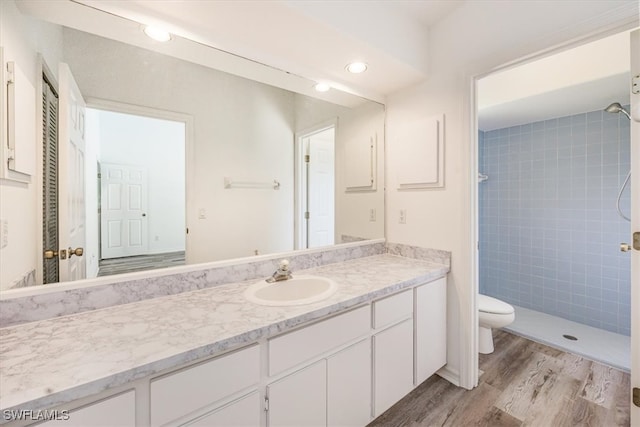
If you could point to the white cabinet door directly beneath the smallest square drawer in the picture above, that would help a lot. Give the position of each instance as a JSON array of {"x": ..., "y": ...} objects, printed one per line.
[{"x": 393, "y": 365}]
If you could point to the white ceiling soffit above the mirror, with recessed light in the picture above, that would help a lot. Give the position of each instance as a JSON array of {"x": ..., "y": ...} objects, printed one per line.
[{"x": 313, "y": 39}]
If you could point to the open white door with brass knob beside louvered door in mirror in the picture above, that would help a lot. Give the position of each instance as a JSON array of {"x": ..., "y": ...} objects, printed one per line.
[{"x": 71, "y": 161}]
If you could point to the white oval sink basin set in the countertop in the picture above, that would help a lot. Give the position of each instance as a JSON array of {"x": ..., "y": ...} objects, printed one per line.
[{"x": 296, "y": 291}]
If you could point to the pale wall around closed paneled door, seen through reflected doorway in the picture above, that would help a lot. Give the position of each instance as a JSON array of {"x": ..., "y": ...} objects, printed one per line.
[{"x": 159, "y": 147}]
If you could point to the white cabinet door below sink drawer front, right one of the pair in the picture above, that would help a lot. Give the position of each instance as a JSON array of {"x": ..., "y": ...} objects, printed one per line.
[{"x": 349, "y": 386}]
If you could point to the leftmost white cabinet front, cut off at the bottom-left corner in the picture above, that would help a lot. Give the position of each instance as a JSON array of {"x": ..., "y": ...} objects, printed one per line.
[{"x": 118, "y": 410}]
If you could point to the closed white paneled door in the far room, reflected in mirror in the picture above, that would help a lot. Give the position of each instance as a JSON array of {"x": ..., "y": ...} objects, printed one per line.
[{"x": 123, "y": 210}]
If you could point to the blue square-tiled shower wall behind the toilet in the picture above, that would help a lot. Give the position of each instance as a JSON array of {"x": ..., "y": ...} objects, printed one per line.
[{"x": 549, "y": 231}]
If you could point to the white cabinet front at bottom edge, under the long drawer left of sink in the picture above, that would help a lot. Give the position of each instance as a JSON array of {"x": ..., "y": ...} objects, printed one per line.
[{"x": 243, "y": 412}]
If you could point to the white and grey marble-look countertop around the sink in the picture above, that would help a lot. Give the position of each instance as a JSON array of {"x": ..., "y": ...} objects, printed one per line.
[{"x": 55, "y": 361}]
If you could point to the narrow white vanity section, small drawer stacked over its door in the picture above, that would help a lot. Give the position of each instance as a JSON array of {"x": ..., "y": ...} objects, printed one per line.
[{"x": 392, "y": 350}]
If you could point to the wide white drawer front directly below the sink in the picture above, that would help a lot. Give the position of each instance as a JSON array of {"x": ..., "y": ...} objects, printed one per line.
[{"x": 288, "y": 350}]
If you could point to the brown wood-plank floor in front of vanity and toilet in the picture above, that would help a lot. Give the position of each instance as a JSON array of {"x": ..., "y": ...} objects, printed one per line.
[{"x": 524, "y": 384}]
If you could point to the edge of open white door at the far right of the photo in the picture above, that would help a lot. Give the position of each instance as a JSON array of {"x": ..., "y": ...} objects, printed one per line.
[{"x": 635, "y": 228}]
